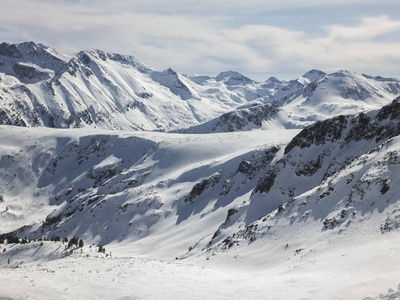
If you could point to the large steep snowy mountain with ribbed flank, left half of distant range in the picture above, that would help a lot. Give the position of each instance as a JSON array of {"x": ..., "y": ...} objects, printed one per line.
[{"x": 41, "y": 87}]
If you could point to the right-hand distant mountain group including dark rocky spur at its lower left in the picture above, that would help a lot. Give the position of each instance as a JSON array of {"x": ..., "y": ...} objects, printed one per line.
[{"x": 313, "y": 97}]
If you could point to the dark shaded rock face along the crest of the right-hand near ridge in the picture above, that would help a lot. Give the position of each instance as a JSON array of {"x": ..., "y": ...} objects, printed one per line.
[{"x": 324, "y": 139}]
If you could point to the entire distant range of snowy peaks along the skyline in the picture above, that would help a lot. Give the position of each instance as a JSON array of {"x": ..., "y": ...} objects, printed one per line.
[{"x": 40, "y": 86}]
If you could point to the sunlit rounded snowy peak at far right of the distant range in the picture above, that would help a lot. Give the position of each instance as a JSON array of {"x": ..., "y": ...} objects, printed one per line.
[{"x": 339, "y": 93}]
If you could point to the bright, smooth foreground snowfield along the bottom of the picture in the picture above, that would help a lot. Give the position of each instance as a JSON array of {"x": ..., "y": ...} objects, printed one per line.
[{"x": 338, "y": 270}]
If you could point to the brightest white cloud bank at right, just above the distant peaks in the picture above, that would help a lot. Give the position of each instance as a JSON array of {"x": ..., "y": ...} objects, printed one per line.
[{"x": 341, "y": 46}]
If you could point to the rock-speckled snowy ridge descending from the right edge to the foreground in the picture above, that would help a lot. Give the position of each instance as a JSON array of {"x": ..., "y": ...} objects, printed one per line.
[{"x": 337, "y": 176}]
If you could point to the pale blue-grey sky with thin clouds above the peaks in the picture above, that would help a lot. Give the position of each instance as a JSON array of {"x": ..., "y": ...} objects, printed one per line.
[{"x": 258, "y": 38}]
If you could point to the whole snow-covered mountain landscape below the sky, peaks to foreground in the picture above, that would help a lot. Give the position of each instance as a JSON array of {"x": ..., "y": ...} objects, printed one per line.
[{"x": 118, "y": 181}]
